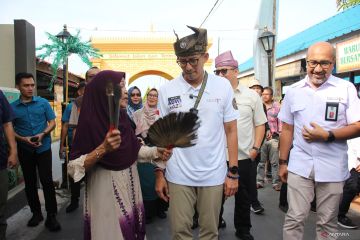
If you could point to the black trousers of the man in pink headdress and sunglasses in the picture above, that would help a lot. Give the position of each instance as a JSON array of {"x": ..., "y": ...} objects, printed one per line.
[{"x": 242, "y": 220}]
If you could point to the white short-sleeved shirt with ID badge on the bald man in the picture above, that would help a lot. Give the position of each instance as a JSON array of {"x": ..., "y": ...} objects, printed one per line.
[{"x": 303, "y": 105}]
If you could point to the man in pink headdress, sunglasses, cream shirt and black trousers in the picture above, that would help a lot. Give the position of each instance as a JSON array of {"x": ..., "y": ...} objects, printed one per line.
[{"x": 251, "y": 130}]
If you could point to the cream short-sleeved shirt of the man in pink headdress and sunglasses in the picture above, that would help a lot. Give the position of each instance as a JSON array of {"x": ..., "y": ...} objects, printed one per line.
[{"x": 251, "y": 114}]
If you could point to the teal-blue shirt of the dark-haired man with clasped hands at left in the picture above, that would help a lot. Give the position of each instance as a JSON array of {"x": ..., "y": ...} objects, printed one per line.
[{"x": 32, "y": 118}]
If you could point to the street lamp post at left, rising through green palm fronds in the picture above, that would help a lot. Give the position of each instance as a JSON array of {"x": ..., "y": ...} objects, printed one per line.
[{"x": 64, "y": 35}]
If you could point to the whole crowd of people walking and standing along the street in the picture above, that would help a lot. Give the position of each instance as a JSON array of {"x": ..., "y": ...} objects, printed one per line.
[{"x": 245, "y": 139}]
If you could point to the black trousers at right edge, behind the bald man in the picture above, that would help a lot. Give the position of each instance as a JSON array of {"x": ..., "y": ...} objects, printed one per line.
[{"x": 351, "y": 189}]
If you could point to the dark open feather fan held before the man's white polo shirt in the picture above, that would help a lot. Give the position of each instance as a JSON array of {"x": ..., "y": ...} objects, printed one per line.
[{"x": 175, "y": 130}]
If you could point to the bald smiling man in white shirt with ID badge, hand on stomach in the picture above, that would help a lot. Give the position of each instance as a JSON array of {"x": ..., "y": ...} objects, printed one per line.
[{"x": 319, "y": 113}]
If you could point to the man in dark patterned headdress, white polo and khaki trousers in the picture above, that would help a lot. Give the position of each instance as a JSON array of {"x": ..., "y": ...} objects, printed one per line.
[{"x": 198, "y": 176}]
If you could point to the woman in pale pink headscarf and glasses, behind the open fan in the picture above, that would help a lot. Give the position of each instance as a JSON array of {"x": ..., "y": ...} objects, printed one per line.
[{"x": 143, "y": 119}]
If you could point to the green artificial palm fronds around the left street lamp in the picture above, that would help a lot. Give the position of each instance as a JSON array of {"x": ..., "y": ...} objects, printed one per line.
[{"x": 58, "y": 51}]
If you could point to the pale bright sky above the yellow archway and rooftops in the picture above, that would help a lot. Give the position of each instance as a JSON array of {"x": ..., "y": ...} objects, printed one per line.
[{"x": 231, "y": 24}]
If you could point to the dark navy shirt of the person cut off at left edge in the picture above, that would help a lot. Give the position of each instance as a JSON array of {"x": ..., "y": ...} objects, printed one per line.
[{"x": 6, "y": 115}]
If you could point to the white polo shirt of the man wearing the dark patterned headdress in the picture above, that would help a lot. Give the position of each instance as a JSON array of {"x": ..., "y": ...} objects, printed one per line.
[{"x": 205, "y": 163}]
